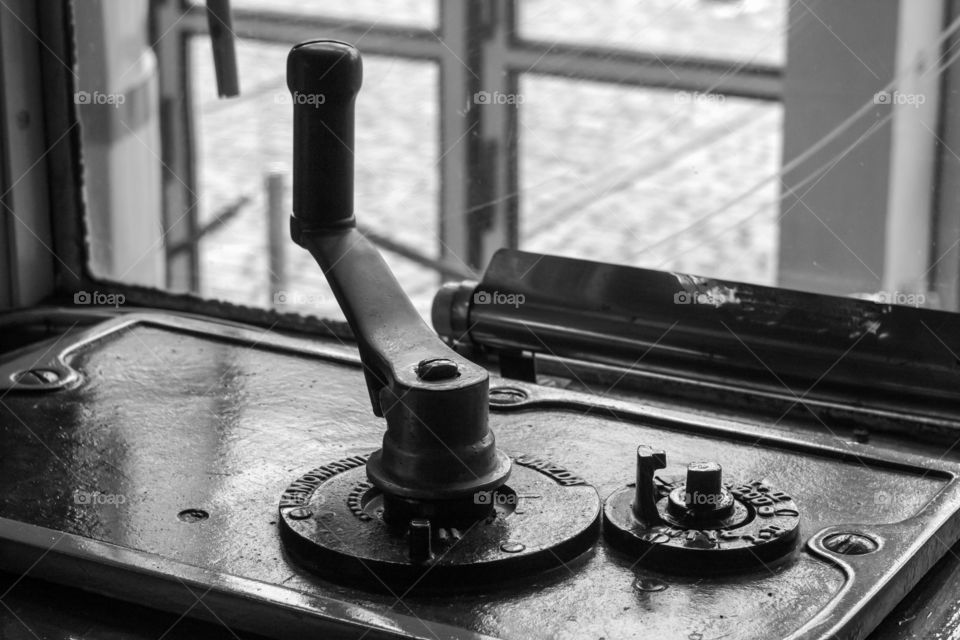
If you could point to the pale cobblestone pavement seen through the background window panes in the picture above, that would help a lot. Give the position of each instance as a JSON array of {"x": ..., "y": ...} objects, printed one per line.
[{"x": 631, "y": 176}]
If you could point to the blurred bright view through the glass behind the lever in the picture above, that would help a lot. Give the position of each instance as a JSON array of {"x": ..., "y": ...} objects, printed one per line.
[{"x": 763, "y": 141}]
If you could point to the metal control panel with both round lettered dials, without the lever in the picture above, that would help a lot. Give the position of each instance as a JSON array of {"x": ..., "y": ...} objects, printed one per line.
[{"x": 168, "y": 451}]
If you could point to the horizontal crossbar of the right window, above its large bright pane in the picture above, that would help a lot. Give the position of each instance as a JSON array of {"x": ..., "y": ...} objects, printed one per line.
[{"x": 644, "y": 69}]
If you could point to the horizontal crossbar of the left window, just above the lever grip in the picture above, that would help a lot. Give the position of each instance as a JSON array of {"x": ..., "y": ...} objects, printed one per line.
[{"x": 287, "y": 28}]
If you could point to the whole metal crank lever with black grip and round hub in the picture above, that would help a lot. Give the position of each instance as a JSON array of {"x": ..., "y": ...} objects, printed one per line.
[{"x": 438, "y": 452}]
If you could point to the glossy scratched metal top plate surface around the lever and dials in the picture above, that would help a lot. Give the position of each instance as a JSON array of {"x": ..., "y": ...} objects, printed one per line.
[{"x": 169, "y": 415}]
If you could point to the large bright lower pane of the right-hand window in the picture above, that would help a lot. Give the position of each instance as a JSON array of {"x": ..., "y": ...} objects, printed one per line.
[{"x": 643, "y": 177}]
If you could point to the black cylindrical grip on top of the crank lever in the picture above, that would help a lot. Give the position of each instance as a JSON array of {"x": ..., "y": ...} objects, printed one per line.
[{"x": 324, "y": 77}]
